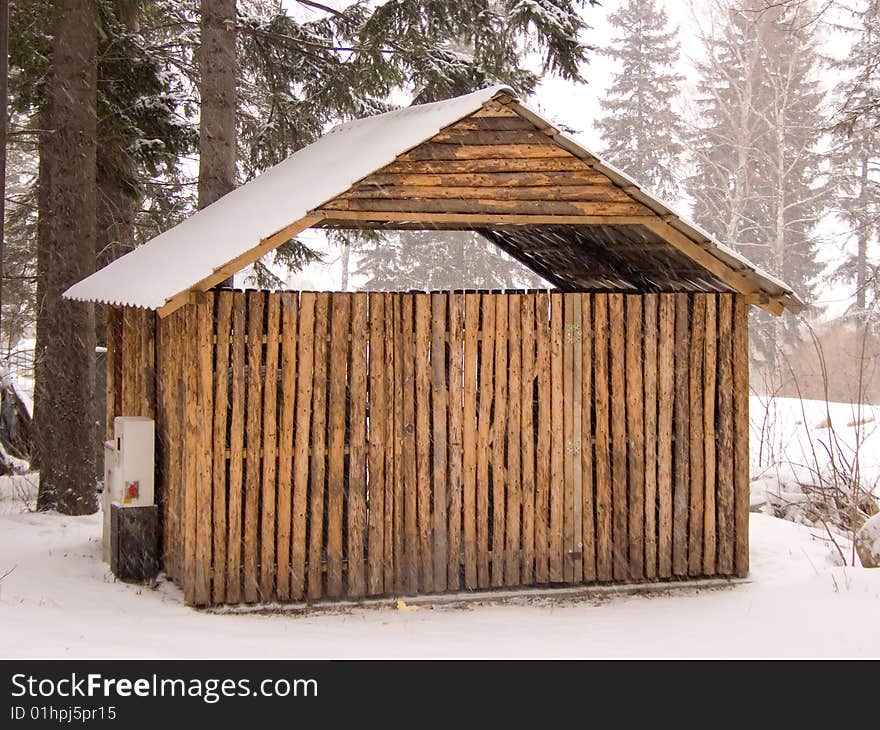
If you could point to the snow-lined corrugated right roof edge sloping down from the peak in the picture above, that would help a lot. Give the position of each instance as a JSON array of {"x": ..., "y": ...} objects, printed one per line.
[{"x": 740, "y": 264}]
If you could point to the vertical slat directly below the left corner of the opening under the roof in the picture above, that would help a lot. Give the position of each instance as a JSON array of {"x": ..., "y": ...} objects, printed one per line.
[{"x": 236, "y": 449}]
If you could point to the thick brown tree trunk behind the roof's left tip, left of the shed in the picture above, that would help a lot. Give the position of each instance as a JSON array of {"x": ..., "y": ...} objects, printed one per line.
[{"x": 64, "y": 389}]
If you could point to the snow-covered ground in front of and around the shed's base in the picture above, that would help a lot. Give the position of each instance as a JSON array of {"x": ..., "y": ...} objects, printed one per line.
[{"x": 60, "y": 600}]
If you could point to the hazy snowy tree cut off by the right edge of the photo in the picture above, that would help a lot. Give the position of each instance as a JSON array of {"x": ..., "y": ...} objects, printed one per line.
[{"x": 856, "y": 158}]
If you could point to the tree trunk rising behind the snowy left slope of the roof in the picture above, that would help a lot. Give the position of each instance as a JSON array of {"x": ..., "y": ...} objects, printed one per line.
[{"x": 217, "y": 72}]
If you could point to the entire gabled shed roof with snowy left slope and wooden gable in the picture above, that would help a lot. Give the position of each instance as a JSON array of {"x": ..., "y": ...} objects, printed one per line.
[{"x": 479, "y": 162}]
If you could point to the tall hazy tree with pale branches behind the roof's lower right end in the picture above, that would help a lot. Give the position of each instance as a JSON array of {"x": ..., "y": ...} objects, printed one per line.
[{"x": 758, "y": 169}]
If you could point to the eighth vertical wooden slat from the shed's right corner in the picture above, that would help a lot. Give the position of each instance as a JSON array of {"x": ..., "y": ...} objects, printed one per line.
[{"x": 635, "y": 425}]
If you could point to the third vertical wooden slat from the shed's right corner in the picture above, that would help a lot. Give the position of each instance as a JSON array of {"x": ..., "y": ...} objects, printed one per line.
[{"x": 710, "y": 363}]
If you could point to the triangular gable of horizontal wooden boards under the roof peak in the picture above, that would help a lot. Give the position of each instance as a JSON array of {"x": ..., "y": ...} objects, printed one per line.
[{"x": 493, "y": 162}]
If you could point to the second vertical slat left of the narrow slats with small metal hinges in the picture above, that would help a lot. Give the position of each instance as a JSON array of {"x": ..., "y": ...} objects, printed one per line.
[{"x": 543, "y": 446}]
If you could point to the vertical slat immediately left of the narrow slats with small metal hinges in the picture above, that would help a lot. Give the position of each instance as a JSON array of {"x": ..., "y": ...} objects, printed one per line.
[{"x": 557, "y": 439}]
